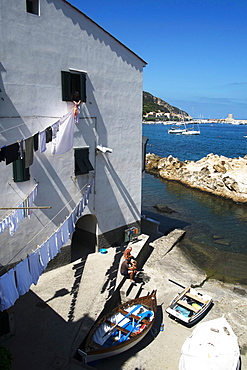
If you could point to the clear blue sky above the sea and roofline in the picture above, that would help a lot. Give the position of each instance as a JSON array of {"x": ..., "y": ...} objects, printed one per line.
[{"x": 196, "y": 50}]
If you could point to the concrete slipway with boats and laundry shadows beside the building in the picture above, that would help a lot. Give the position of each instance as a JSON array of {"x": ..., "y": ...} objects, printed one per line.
[{"x": 53, "y": 318}]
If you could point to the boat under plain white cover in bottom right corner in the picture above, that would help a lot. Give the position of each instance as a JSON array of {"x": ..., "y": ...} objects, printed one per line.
[{"x": 212, "y": 345}]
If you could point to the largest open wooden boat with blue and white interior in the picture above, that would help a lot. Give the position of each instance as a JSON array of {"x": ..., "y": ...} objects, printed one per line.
[{"x": 121, "y": 329}]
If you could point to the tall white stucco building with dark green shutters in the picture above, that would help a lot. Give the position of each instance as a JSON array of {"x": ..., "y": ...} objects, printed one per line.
[{"x": 49, "y": 50}]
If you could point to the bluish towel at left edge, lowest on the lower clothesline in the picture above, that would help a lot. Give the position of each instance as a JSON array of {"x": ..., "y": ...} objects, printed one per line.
[{"x": 8, "y": 290}]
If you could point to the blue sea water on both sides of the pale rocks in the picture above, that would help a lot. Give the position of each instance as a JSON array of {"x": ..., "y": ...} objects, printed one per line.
[{"x": 216, "y": 228}]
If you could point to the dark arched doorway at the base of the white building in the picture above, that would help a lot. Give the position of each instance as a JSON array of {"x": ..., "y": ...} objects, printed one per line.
[{"x": 84, "y": 239}]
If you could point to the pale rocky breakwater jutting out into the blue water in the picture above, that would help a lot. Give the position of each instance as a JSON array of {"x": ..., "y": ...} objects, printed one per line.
[{"x": 218, "y": 175}]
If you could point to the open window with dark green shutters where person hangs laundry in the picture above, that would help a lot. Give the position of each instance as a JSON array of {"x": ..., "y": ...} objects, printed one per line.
[{"x": 73, "y": 86}]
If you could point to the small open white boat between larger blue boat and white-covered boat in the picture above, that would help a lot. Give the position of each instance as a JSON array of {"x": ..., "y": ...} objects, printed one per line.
[{"x": 189, "y": 306}]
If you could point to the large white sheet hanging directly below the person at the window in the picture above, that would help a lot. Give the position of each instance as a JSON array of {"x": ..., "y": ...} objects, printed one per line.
[{"x": 64, "y": 139}]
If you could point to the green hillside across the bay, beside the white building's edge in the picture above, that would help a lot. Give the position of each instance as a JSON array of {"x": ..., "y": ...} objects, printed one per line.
[{"x": 153, "y": 104}]
